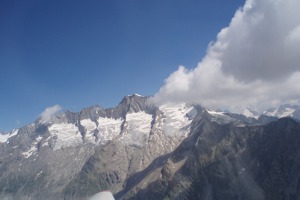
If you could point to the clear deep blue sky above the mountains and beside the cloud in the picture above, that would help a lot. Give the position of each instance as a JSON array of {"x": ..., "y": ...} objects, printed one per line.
[{"x": 81, "y": 53}]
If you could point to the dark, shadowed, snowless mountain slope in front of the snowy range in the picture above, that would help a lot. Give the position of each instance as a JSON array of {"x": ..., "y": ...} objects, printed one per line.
[{"x": 223, "y": 161}]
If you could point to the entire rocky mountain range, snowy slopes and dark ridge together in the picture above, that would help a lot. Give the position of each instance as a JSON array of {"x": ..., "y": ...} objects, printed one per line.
[{"x": 139, "y": 151}]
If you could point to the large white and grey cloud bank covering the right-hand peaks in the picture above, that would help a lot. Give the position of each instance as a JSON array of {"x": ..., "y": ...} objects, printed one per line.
[{"x": 254, "y": 62}]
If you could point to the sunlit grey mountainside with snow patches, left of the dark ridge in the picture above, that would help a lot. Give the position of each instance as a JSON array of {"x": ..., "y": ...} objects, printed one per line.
[{"x": 49, "y": 156}]
